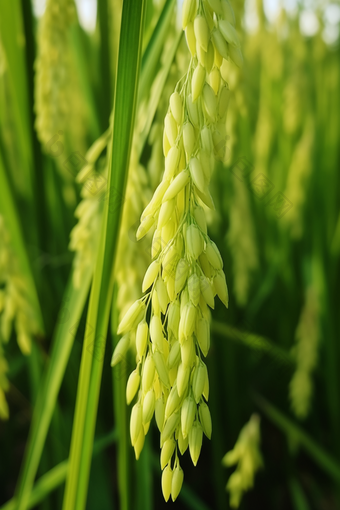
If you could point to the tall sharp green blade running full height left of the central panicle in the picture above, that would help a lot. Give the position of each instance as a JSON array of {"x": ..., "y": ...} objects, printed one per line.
[{"x": 102, "y": 288}]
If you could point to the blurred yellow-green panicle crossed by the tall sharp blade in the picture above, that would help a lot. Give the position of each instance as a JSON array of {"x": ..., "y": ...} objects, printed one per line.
[{"x": 131, "y": 263}]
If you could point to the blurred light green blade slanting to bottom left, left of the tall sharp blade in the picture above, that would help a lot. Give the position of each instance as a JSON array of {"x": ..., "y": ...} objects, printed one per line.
[{"x": 74, "y": 303}]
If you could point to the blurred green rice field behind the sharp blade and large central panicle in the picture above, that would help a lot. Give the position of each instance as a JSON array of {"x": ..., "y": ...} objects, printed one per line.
[{"x": 275, "y": 352}]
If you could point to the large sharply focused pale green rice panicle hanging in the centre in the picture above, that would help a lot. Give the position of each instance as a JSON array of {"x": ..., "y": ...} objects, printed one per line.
[{"x": 170, "y": 323}]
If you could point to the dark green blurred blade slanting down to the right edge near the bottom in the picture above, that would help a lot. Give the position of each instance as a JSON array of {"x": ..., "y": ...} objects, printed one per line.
[{"x": 322, "y": 458}]
